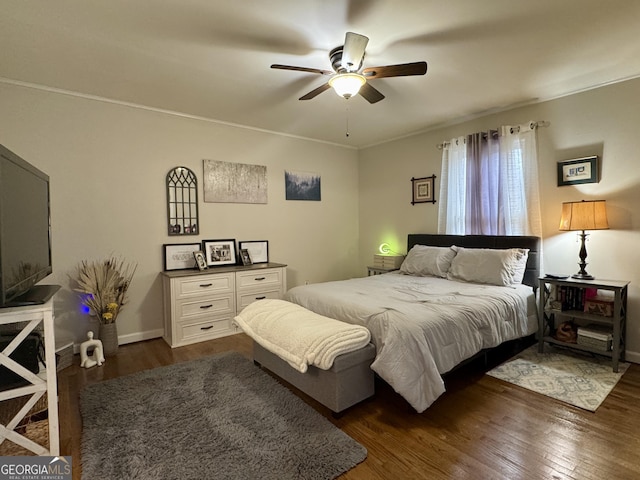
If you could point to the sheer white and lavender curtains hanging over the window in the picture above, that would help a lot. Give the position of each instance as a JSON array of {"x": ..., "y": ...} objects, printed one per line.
[{"x": 489, "y": 183}]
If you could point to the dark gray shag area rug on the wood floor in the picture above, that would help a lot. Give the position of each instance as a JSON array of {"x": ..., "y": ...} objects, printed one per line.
[{"x": 219, "y": 417}]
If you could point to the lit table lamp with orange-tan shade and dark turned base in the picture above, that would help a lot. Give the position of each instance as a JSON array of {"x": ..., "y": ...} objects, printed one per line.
[{"x": 583, "y": 215}]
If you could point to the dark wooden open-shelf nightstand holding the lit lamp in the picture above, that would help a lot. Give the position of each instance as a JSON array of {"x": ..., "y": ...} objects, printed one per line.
[{"x": 566, "y": 297}]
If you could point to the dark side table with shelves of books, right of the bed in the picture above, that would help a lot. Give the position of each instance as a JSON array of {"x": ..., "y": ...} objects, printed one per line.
[{"x": 616, "y": 322}]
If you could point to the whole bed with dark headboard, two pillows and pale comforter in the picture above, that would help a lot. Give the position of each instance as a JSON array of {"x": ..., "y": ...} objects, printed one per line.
[{"x": 424, "y": 323}]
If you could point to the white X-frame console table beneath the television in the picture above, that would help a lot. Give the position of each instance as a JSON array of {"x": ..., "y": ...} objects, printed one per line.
[{"x": 32, "y": 315}]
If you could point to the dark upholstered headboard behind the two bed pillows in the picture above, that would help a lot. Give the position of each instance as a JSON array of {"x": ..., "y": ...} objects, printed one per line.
[{"x": 532, "y": 271}]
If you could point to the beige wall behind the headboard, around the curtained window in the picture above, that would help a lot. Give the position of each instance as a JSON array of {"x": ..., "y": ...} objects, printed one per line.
[{"x": 601, "y": 122}]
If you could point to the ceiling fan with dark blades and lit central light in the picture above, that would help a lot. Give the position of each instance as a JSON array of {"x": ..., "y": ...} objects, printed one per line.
[{"x": 347, "y": 79}]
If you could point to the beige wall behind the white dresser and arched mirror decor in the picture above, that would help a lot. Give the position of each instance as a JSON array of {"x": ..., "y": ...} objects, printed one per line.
[{"x": 108, "y": 163}]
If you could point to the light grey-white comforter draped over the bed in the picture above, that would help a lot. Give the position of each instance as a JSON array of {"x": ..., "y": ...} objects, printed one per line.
[{"x": 423, "y": 326}]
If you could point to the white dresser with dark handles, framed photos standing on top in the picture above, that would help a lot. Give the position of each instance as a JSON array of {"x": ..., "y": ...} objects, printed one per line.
[{"x": 201, "y": 306}]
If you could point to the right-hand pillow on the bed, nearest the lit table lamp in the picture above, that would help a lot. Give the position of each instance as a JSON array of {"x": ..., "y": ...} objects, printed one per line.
[{"x": 485, "y": 265}]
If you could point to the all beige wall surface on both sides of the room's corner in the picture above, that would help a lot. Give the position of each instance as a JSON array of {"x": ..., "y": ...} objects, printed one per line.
[{"x": 108, "y": 164}]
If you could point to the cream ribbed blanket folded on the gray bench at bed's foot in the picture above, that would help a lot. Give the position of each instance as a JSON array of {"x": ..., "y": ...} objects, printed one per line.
[{"x": 300, "y": 336}]
